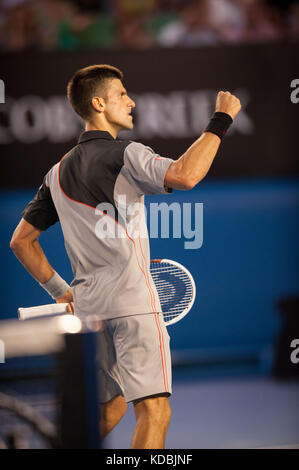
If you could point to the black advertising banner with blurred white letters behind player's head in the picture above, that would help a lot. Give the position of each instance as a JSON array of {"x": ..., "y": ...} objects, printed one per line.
[{"x": 174, "y": 91}]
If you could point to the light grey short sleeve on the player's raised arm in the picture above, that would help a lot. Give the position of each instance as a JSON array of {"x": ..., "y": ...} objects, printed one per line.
[{"x": 145, "y": 169}]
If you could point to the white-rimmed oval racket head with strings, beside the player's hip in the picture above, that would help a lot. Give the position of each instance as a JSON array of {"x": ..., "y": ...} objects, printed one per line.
[{"x": 176, "y": 288}]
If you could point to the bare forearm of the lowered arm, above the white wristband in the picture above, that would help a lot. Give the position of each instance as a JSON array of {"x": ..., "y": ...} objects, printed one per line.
[{"x": 31, "y": 255}]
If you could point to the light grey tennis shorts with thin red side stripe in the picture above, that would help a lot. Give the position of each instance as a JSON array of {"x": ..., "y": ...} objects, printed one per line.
[{"x": 134, "y": 357}]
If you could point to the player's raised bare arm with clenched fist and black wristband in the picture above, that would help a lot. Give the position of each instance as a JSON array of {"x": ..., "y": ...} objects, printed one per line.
[{"x": 195, "y": 163}]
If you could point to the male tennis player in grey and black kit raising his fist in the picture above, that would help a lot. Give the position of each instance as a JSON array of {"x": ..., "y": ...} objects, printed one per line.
[{"x": 109, "y": 256}]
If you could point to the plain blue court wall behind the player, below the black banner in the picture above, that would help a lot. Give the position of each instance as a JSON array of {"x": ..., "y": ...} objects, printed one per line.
[{"x": 248, "y": 260}]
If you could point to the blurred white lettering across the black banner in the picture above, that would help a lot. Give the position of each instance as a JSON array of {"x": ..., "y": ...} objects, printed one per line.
[{"x": 178, "y": 114}]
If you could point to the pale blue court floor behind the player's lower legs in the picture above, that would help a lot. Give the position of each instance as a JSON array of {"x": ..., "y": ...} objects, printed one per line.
[{"x": 234, "y": 413}]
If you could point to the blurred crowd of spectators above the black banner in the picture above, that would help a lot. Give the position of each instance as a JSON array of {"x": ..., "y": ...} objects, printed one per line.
[{"x": 142, "y": 24}]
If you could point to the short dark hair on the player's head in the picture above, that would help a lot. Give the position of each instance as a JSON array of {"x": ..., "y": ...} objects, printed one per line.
[{"x": 86, "y": 83}]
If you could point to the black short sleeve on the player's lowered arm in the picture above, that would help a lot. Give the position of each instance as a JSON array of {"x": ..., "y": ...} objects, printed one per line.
[{"x": 41, "y": 211}]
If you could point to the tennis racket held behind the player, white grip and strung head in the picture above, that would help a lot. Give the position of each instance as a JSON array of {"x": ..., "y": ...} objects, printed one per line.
[{"x": 174, "y": 283}]
